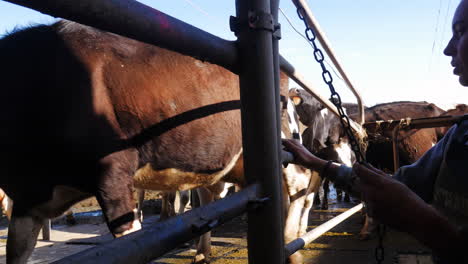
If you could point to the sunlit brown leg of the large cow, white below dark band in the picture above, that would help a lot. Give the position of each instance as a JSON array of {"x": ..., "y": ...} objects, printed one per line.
[{"x": 115, "y": 193}]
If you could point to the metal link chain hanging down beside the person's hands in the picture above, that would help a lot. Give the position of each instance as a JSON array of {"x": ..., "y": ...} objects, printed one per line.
[{"x": 344, "y": 119}]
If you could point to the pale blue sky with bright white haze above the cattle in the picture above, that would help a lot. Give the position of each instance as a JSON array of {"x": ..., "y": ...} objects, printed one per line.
[{"x": 391, "y": 49}]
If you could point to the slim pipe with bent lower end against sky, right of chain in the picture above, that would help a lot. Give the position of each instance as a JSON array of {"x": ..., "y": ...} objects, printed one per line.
[{"x": 312, "y": 22}]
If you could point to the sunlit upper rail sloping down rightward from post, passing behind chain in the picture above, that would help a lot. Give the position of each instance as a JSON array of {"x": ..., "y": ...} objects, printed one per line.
[{"x": 287, "y": 68}]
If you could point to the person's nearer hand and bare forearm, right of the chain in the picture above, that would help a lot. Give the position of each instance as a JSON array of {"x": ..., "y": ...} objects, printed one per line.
[{"x": 394, "y": 204}]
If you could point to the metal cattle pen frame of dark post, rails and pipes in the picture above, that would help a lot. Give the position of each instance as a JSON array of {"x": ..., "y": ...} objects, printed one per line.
[{"x": 255, "y": 58}]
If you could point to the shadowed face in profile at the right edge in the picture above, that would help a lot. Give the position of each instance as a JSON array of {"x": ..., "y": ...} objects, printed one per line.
[{"x": 457, "y": 48}]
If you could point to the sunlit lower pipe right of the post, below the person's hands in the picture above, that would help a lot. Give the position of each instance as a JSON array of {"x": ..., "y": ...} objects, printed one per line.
[{"x": 301, "y": 242}]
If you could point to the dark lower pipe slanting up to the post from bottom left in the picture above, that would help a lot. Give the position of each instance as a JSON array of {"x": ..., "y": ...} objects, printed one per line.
[{"x": 152, "y": 242}]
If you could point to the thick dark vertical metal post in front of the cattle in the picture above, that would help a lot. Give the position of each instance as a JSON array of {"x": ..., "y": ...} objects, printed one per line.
[{"x": 260, "y": 130}]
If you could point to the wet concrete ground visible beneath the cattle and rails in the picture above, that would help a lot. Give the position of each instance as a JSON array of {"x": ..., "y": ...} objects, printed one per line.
[{"x": 339, "y": 245}]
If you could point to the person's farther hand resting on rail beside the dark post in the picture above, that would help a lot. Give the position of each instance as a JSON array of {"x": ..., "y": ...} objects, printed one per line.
[{"x": 301, "y": 155}]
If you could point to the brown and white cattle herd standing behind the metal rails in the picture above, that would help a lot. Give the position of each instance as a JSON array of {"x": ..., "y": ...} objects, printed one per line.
[{"x": 89, "y": 113}]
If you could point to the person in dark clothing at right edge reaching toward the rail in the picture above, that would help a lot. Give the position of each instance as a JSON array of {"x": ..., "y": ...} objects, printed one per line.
[{"x": 428, "y": 199}]
